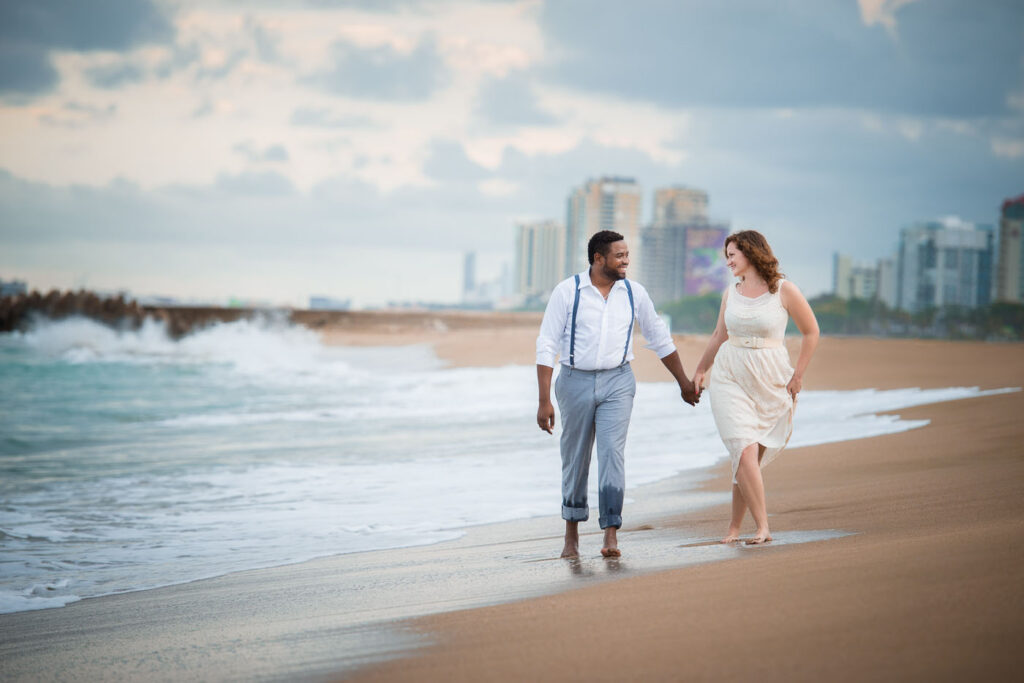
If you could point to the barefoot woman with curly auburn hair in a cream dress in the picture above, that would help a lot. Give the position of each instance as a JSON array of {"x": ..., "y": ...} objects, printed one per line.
[{"x": 753, "y": 387}]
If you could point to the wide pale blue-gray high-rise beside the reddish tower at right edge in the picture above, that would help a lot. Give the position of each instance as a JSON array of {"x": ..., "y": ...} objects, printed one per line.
[{"x": 945, "y": 264}]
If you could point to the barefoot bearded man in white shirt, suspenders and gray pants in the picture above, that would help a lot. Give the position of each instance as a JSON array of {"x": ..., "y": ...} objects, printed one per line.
[{"x": 589, "y": 323}]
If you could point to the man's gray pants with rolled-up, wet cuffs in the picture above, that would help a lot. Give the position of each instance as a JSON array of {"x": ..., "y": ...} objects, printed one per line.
[{"x": 595, "y": 405}]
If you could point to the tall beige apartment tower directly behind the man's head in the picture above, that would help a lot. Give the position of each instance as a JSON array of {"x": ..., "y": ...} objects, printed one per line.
[{"x": 606, "y": 204}]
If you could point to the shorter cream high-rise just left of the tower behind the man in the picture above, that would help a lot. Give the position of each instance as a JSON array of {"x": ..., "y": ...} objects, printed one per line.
[{"x": 539, "y": 259}]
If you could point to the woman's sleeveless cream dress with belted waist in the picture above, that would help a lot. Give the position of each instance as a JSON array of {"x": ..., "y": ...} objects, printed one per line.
[{"x": 748, "y": 381}]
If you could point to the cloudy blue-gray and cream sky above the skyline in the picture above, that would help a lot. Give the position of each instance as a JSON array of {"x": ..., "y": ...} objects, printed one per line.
[{"x": 357, "y": 149}]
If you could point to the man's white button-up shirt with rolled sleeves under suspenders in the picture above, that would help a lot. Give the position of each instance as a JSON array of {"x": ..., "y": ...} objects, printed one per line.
[{"x": 603, "y": 326}]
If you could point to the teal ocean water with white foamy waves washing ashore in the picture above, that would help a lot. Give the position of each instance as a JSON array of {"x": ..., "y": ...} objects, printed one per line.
[{"x": 131, "y": 461}]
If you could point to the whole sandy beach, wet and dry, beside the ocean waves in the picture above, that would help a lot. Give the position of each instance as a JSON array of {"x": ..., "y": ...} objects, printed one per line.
[{"x": 921, "y": 576}]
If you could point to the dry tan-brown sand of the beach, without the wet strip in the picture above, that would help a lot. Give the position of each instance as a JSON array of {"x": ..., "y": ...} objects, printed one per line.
[{"x": 931, "y": 586}]
